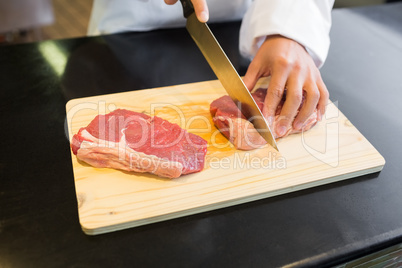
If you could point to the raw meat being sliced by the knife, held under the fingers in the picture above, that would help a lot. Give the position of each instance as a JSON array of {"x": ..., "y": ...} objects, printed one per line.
[{"x": 234, "y": 126}]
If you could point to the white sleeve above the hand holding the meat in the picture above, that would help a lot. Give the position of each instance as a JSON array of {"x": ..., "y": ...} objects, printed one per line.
[{"x": 306, "y": 21}]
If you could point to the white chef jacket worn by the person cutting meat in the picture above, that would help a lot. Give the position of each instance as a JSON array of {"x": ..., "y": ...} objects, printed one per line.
[{"x": 306, "y": 21}]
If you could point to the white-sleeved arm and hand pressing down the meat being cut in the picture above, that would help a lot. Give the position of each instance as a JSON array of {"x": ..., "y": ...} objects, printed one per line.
[{"x": 288, "y": 40}]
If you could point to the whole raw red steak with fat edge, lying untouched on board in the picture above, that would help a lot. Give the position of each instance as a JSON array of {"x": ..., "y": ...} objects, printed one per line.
[{"x": 137, "y": 142}]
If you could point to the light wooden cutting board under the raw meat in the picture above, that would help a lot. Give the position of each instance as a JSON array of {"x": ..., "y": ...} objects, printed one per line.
[{"x": 110, "y": 200}]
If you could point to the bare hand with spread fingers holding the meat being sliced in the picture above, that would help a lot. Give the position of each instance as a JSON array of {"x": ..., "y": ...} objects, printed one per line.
[{"x": 291, "y": 67}]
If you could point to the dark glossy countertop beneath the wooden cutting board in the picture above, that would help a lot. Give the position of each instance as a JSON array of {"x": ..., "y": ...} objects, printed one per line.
[{"x": 323, "y": 226}]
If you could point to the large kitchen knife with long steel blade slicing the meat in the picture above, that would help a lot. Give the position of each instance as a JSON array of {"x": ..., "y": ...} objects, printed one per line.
[{"x": 225, "y": 72}]
